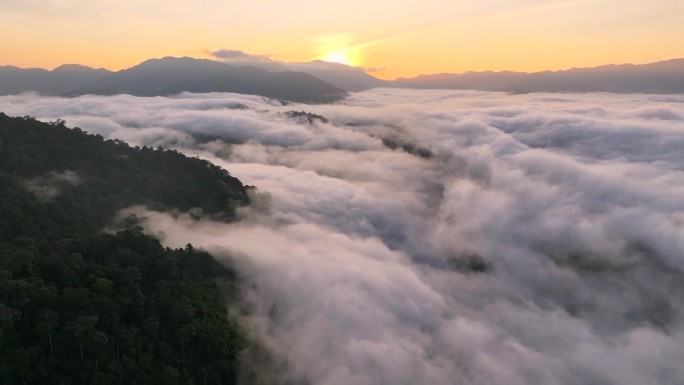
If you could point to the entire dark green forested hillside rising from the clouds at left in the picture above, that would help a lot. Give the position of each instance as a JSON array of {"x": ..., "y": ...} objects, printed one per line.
[{"x": 78, "y": 306}]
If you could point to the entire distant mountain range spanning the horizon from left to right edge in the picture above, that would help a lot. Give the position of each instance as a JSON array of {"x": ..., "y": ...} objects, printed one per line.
[{"x": 323, "y": 82}]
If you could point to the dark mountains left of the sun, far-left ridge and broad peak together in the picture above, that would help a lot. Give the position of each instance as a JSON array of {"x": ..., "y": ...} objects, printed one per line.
[{"x": 168, "y": 76}]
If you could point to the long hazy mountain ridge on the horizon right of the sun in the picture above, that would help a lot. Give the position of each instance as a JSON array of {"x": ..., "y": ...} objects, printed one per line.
[{"x": 661, "y": 77}]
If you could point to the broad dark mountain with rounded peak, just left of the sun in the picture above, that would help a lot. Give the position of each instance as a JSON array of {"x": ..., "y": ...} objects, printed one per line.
[{"x": 171, "y": 75}]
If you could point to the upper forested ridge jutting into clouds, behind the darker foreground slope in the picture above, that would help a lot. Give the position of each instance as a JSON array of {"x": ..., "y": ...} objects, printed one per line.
[{"x": 116, "y": 174}]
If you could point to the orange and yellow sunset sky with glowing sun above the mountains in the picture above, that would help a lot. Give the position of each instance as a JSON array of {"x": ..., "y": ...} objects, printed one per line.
[{"x": 395, "y": 38}]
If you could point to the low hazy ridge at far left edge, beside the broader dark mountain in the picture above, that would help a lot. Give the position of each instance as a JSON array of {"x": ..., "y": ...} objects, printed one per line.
[{"x": 15, "y": 80}]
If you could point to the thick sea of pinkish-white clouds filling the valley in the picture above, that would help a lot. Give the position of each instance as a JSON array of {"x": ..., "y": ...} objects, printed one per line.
[{"x": 534, "y": 239}]
